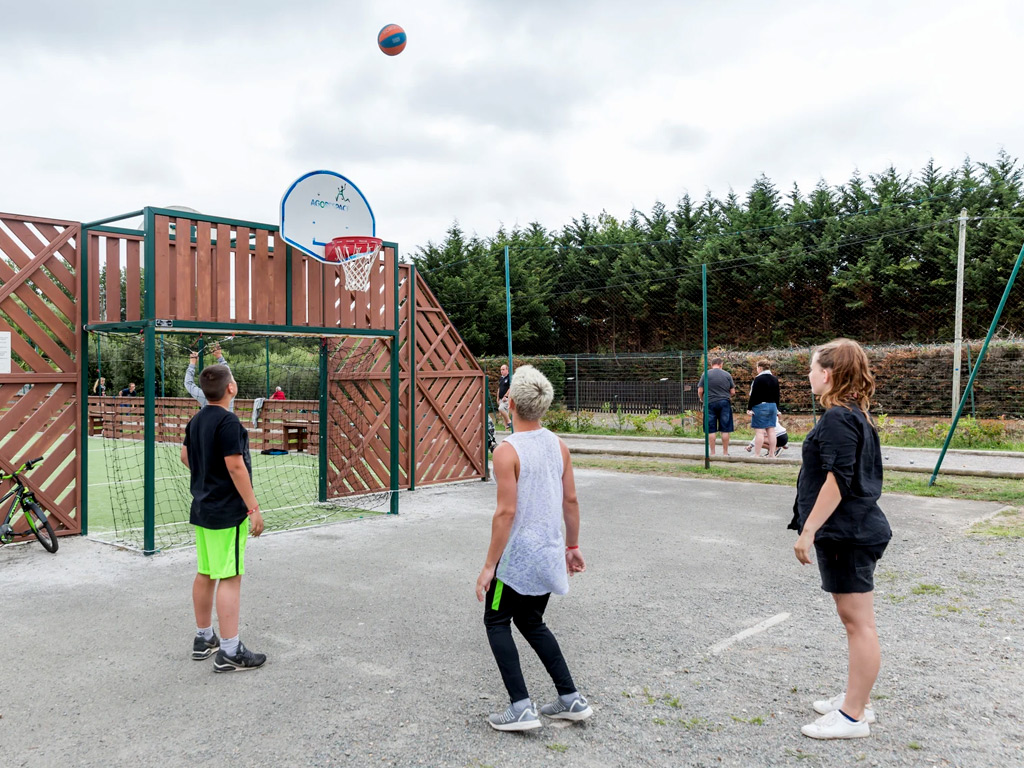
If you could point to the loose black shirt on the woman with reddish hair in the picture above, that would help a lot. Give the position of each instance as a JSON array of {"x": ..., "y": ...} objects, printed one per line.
[{"x": 845, "y": 444}]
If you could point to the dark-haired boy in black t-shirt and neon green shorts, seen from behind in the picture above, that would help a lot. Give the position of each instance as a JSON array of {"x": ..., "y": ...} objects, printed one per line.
[{"x": 217, "y": 452}]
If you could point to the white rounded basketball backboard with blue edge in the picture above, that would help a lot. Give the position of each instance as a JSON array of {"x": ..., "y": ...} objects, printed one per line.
[{"x": 321, "y": 206}]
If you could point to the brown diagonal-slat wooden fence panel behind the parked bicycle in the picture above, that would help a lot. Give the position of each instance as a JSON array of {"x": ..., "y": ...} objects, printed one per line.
[{"x": 39, "y": 292}]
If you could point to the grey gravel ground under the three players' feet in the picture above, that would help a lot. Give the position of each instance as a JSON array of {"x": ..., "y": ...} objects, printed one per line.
[{"x": 378, "y": 656}]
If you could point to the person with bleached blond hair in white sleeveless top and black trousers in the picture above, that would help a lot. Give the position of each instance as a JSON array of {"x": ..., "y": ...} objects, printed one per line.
[{"x": 529, "y": 558}]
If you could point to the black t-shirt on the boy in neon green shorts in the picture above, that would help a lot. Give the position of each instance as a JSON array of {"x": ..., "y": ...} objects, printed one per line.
[{"x": 210, "y": 436}]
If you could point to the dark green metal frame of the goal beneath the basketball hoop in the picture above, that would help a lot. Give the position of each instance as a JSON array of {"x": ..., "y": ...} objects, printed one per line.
[{"x": 150, "y": 325}]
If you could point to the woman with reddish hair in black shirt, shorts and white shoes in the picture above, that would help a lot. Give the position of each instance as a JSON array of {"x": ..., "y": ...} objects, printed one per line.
[{"x": 837, "y": 513}]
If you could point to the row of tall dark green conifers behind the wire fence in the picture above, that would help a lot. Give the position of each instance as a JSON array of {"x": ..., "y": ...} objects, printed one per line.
[{"x": 874, "y": 259}]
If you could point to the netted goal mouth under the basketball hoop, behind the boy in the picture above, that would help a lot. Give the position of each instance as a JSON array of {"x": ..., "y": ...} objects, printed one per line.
[{"x": 304, "y": 476}]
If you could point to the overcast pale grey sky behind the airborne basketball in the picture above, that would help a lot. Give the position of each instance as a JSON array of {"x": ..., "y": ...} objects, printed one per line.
[{"x": 498, "y": 112}]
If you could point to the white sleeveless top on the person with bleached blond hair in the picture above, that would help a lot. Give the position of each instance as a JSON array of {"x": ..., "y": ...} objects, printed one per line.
[{"x": 534, "y": 562}]
